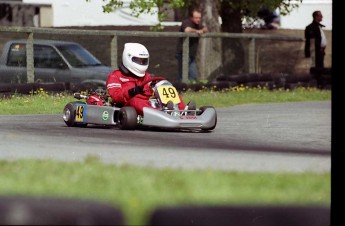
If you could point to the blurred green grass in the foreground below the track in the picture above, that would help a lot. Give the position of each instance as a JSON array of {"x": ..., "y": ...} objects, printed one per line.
[{"x": 138, "y": 191}]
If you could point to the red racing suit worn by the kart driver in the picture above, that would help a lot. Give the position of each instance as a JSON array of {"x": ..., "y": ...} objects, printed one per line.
[{"x": 118, "y": 85}]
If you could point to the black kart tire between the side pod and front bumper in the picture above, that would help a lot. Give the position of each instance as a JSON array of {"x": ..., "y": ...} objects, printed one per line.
[{"x": 127, "y": 118}]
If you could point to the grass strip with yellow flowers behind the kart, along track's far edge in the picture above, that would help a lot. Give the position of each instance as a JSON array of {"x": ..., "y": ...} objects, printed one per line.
[{"x": 43, "y": 103}]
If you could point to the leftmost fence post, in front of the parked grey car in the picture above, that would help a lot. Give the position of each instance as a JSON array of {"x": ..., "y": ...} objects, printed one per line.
[{"x": 30, "y": 70}]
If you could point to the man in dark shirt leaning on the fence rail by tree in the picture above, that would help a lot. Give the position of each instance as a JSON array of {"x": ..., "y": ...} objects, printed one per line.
[{"x": 193, "y": 25}]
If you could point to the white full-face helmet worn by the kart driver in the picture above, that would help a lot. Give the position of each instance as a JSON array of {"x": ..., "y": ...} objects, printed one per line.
[{"x": 135, "y": 58}]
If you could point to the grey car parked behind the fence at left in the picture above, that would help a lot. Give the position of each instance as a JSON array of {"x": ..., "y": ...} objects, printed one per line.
[{"x": 54, "y": 62}]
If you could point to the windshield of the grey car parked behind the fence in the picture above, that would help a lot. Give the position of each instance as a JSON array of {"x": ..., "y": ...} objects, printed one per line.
[{"x": 77, "y": 56}]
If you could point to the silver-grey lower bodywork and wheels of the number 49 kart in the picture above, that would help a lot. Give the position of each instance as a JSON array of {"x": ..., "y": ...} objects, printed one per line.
[{"x": 80, "y": 114}]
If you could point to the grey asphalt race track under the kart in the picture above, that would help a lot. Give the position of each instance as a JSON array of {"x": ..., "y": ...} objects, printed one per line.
[{"x": 282, "y": 137}]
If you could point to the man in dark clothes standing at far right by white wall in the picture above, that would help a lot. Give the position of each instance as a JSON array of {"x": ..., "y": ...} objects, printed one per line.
[{"x": 315, "y": 39}]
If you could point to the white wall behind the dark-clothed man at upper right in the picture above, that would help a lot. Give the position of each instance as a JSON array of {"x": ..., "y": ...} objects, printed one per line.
[{"x": 302, "y": 16}]
